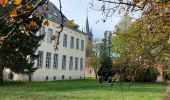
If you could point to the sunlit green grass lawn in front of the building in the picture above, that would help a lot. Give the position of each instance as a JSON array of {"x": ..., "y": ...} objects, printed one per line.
[{"x": 87, "y": 89}]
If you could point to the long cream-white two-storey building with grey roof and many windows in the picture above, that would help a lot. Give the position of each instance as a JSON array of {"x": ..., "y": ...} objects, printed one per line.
[{"x": 68, "y": 62}]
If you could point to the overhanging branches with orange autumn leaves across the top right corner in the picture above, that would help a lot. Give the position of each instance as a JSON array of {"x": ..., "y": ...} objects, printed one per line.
[{"x": 109, "y": 7}]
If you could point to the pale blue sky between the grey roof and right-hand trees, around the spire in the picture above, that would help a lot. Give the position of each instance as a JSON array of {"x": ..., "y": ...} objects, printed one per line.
[{"x": 78, "y": 10}]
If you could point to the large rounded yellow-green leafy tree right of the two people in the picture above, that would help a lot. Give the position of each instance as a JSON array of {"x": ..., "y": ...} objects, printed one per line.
[{"x": 144, "y": 48}]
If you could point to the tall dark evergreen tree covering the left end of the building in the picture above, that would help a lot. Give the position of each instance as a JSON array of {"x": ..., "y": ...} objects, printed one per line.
[{"x": 19, "y": 39}]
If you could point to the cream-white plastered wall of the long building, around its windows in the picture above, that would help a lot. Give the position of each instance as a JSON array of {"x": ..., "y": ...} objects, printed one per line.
[{"x": 41, "y": 73}]
